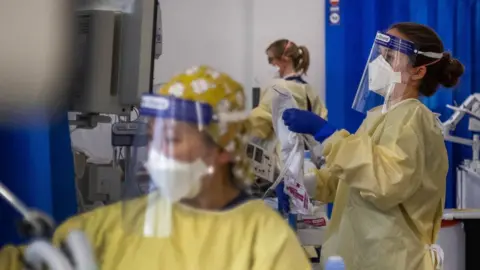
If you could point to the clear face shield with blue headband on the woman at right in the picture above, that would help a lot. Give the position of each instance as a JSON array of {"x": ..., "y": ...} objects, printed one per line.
[{"x": 387, "y": 76}]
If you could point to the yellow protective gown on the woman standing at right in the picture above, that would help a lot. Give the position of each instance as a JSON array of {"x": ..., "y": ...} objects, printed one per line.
[{"x": 389, "y": 179}]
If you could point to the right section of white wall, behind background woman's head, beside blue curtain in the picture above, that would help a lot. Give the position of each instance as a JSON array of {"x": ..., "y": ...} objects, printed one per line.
[{"x": 302, "y": 22}]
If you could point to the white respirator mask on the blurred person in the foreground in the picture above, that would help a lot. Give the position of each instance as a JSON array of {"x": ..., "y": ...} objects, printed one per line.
[{"x": 175, "y": 180}]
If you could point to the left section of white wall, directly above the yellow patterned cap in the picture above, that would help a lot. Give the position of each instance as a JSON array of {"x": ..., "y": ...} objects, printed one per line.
[{"x": 202, "y": 32}]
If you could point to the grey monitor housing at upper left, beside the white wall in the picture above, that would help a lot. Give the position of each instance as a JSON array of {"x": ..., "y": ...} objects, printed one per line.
[{"x": 116, "y": 53}]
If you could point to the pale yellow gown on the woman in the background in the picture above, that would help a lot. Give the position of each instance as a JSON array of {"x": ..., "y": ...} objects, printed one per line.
[{"x": 260, "y": 121}]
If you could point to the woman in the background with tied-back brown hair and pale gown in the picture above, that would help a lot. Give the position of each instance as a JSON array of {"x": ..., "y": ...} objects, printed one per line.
[{"x": 290, "y": 63}]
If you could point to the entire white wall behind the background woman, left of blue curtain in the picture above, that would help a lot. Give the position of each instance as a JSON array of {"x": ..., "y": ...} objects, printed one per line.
[{"x": 232, "y": 35}]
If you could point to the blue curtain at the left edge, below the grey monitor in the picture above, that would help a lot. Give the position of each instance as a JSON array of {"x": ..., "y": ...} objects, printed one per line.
[{"x": 37, "y": 165}]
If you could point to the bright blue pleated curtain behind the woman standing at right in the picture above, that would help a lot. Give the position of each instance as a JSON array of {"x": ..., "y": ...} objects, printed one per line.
[{"x": 348, "y": 44}]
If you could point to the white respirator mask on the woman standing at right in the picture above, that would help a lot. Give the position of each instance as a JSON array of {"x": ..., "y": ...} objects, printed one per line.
[{"x": 381, "y": 75}]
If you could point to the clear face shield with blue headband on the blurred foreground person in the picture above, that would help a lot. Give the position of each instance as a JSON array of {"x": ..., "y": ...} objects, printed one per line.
[{"x": 169, "y": 163}]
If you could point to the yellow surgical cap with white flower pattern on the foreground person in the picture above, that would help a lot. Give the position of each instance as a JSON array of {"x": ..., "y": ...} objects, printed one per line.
[{"x": 225, "y": 96}]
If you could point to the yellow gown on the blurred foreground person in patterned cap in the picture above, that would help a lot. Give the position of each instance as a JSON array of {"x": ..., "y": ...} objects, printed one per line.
[{"x": 251, "y": 236}]
